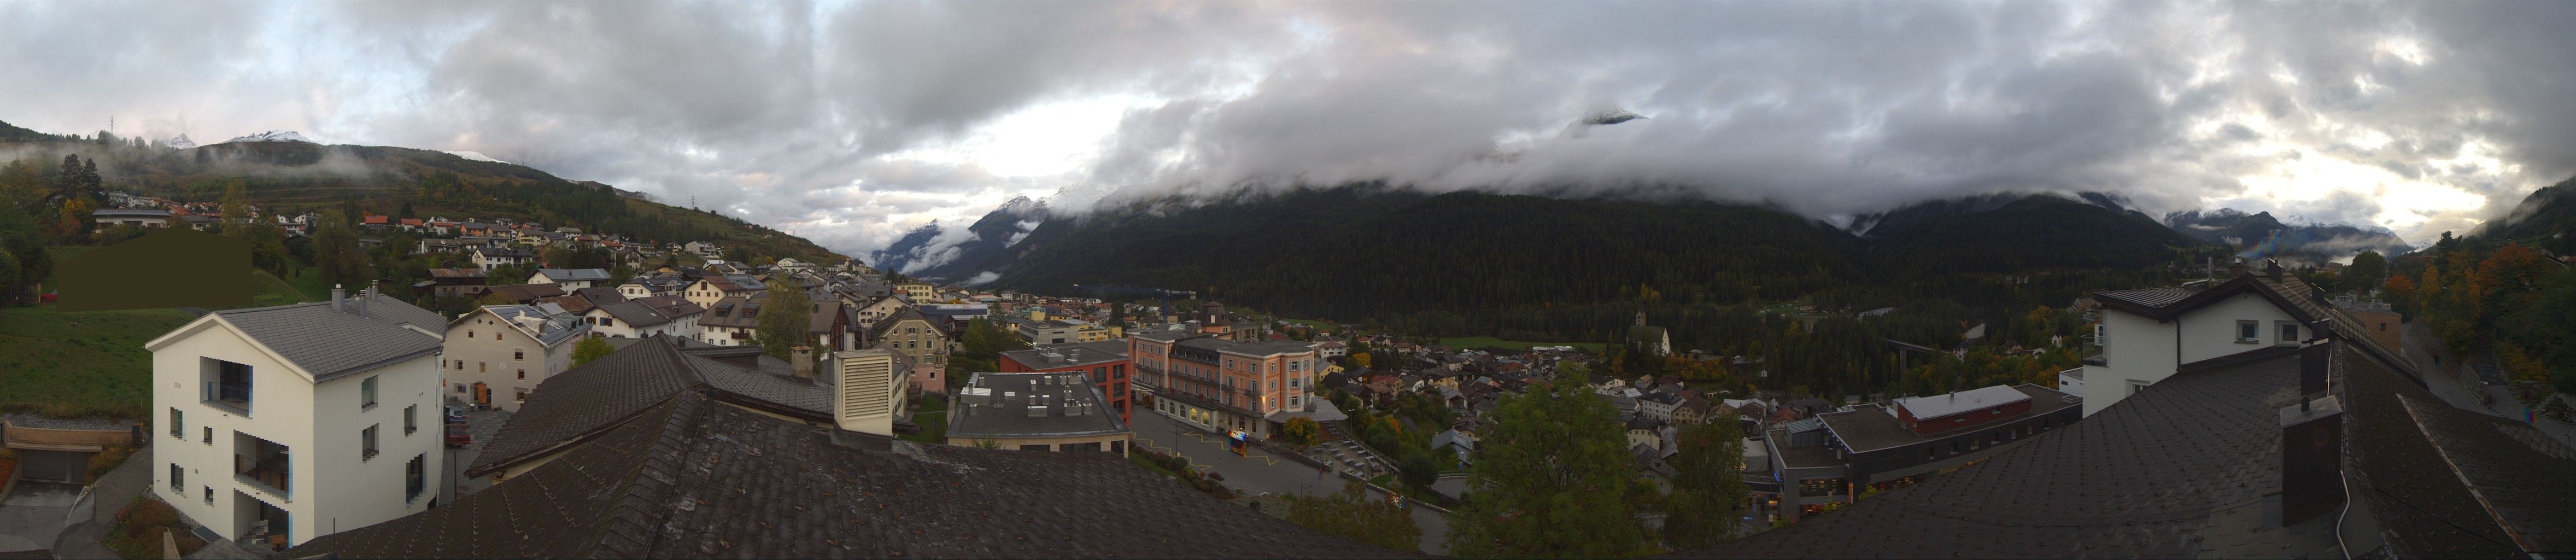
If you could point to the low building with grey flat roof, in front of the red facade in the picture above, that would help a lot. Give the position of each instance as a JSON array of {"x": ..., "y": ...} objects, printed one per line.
[{"x": 1052, "y": 412}]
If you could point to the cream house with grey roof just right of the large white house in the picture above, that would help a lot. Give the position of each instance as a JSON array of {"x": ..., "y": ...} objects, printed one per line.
[{"x": 501, "y": 352}]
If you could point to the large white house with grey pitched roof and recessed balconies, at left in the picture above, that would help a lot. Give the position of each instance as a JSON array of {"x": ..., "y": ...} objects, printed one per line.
[{"x": 272, "y": 417}]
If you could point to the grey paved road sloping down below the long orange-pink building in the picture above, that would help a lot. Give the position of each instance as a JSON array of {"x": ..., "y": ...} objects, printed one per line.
[{"x": 1264, "y": 474}]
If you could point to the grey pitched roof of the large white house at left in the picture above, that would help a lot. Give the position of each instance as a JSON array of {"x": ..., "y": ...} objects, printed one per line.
[{"x": 328, "y": 342}]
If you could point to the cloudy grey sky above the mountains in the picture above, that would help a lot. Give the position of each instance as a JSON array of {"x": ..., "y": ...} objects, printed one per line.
[{"x": 859, "y": 123}]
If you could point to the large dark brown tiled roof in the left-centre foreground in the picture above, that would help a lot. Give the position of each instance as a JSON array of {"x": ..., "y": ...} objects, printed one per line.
[{"x": 694, "y": 479}]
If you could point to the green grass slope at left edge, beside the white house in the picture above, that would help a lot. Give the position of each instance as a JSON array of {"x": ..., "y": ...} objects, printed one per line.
[{"x": 81, "y": 363}]
